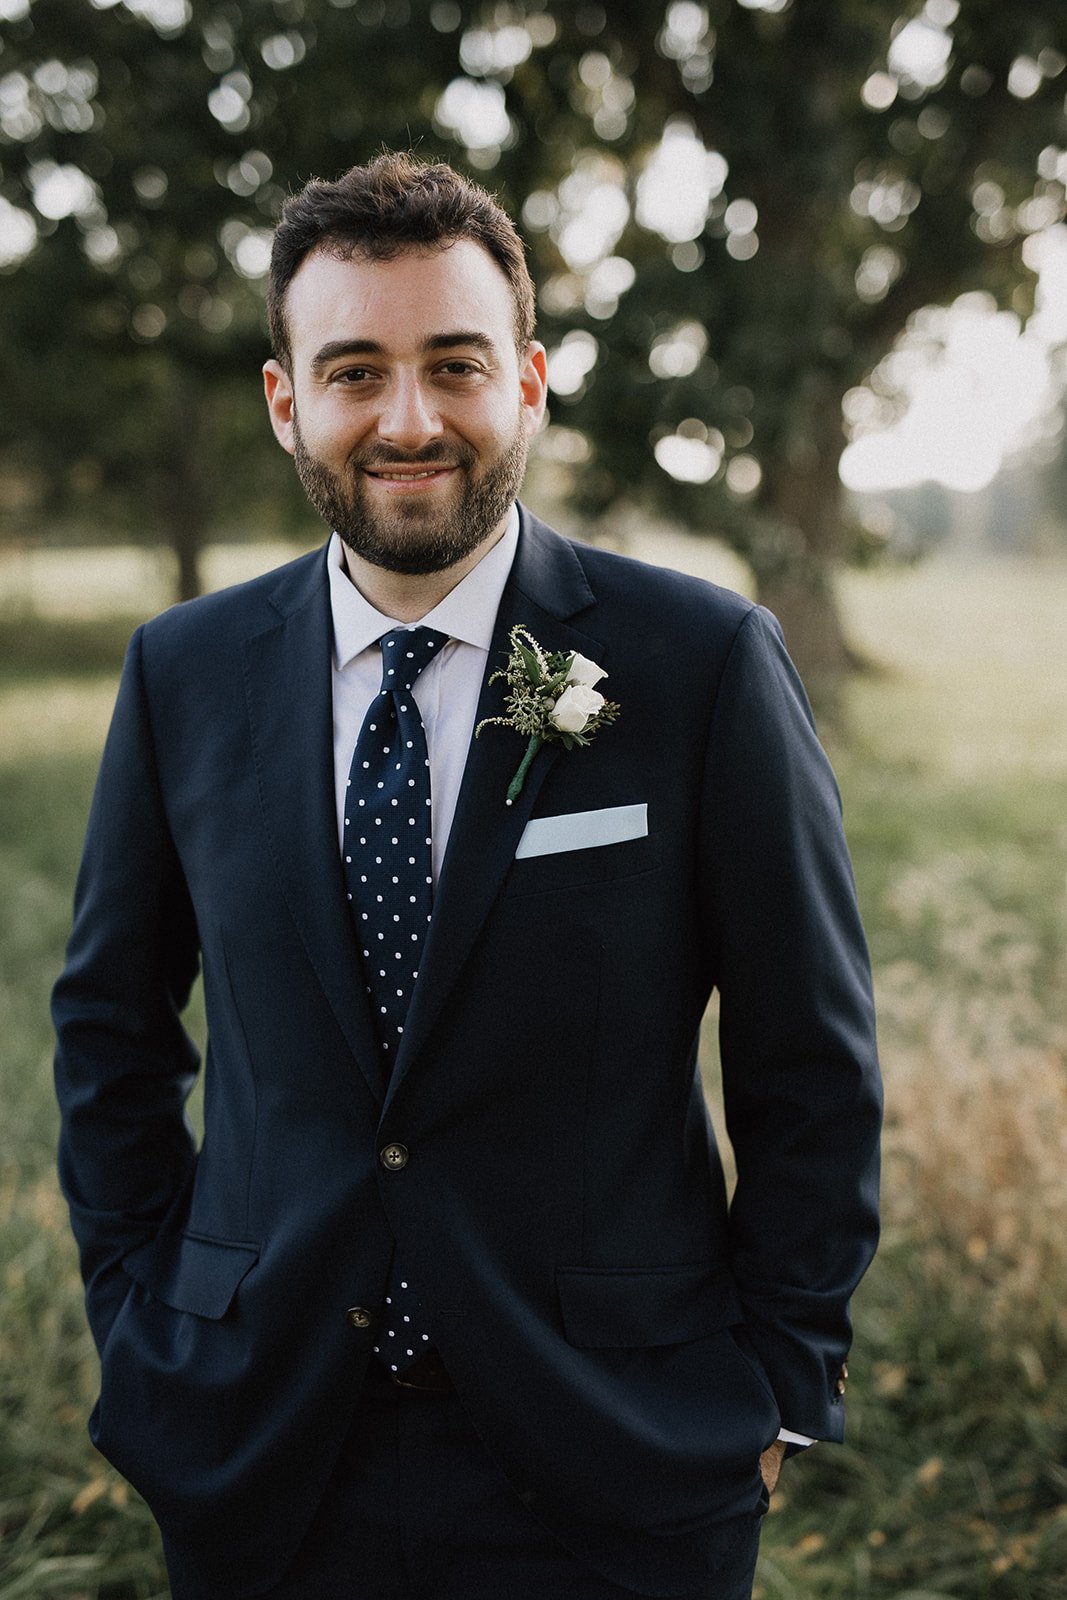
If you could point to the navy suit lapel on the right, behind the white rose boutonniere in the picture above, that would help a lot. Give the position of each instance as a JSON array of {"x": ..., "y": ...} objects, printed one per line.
[{"x": 546, "y": 586}]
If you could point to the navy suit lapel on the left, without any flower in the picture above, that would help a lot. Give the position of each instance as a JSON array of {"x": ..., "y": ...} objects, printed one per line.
[{"x": 290, "y": 706}]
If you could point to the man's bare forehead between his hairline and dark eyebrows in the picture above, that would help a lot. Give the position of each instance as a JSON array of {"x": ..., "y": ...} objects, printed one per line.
[{"x": 399, "y": 303}]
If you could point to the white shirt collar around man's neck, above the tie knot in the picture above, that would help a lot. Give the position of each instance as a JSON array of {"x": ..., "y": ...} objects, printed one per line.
[{"x": 466, "y": 614}]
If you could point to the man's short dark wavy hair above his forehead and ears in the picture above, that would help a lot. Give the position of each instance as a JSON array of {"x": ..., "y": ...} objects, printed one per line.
[{"x": 382, "y": 210}]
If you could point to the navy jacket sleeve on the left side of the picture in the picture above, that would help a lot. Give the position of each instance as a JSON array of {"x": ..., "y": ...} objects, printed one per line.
[{"x": 124, "y": 1062}]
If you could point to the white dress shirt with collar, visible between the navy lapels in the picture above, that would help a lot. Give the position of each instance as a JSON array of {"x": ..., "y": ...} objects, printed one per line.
[{"x": 447, "y": 692}]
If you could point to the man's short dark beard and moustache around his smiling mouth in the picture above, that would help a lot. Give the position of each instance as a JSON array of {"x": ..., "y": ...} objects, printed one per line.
[{"x": 412, "y": 538}]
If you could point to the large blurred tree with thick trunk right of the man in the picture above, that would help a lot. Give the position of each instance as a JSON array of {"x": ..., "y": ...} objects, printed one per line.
[{"x": 847, "y": 166}]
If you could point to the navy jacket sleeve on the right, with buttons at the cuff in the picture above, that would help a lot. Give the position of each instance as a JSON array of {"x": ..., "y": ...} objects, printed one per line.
[{"x": 801, "y": 1074}]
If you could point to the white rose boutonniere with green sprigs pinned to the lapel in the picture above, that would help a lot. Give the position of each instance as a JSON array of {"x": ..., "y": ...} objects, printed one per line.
[{"x": 551, "y": 695}]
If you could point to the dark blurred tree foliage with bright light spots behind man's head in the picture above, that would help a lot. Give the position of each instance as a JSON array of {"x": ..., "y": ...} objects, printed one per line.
[{"x": 733, "y": 210}]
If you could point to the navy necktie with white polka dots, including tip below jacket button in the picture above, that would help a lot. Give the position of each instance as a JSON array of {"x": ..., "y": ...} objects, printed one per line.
[{"x": 388, "y": 870}]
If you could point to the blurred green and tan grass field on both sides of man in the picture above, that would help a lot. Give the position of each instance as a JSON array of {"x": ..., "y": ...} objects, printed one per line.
[{"x": 954, "y": 1478}]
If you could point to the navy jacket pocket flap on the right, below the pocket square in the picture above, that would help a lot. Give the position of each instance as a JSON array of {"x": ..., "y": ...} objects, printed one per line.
[{"x": 637, "y": 1308}]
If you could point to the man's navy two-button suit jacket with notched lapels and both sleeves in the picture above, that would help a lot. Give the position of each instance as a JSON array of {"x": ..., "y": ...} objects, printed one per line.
[{"x": 625, "y": 1342}]
